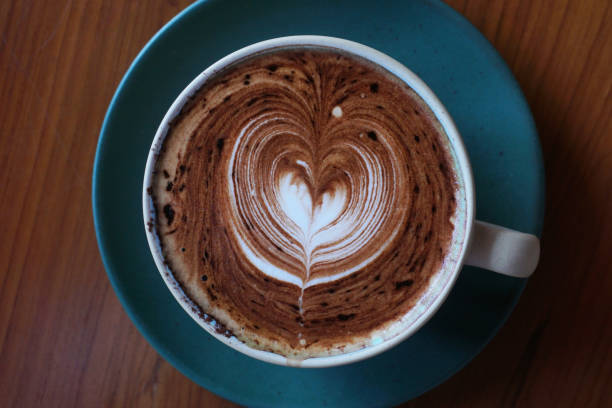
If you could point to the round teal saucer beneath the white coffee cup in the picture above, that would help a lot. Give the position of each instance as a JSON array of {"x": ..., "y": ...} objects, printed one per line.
[{"x": 468, "y": 76}]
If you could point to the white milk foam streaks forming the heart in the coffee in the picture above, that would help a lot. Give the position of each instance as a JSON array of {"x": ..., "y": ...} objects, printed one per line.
[{"x": 334, "y": 228}]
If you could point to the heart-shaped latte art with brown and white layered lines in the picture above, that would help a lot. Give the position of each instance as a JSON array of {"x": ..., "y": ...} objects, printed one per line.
[{"x": 307, "y": 203}]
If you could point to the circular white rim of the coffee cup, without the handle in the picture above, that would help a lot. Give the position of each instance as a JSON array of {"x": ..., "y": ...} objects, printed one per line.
[{"x": 378, "y": 58}]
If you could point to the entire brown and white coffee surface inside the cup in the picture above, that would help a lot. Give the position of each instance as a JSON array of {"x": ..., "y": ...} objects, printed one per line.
[{"x": 304, "y": 199}]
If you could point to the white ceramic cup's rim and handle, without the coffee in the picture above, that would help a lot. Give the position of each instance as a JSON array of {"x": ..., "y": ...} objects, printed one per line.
[{"x": 482, "y": 244}]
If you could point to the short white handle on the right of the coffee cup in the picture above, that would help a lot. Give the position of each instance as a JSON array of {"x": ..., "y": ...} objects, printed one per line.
[{"x": 503, "y": 250}]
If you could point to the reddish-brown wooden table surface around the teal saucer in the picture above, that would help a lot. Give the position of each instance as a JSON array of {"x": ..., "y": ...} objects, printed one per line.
[{"x": 64, "y": 338}]
